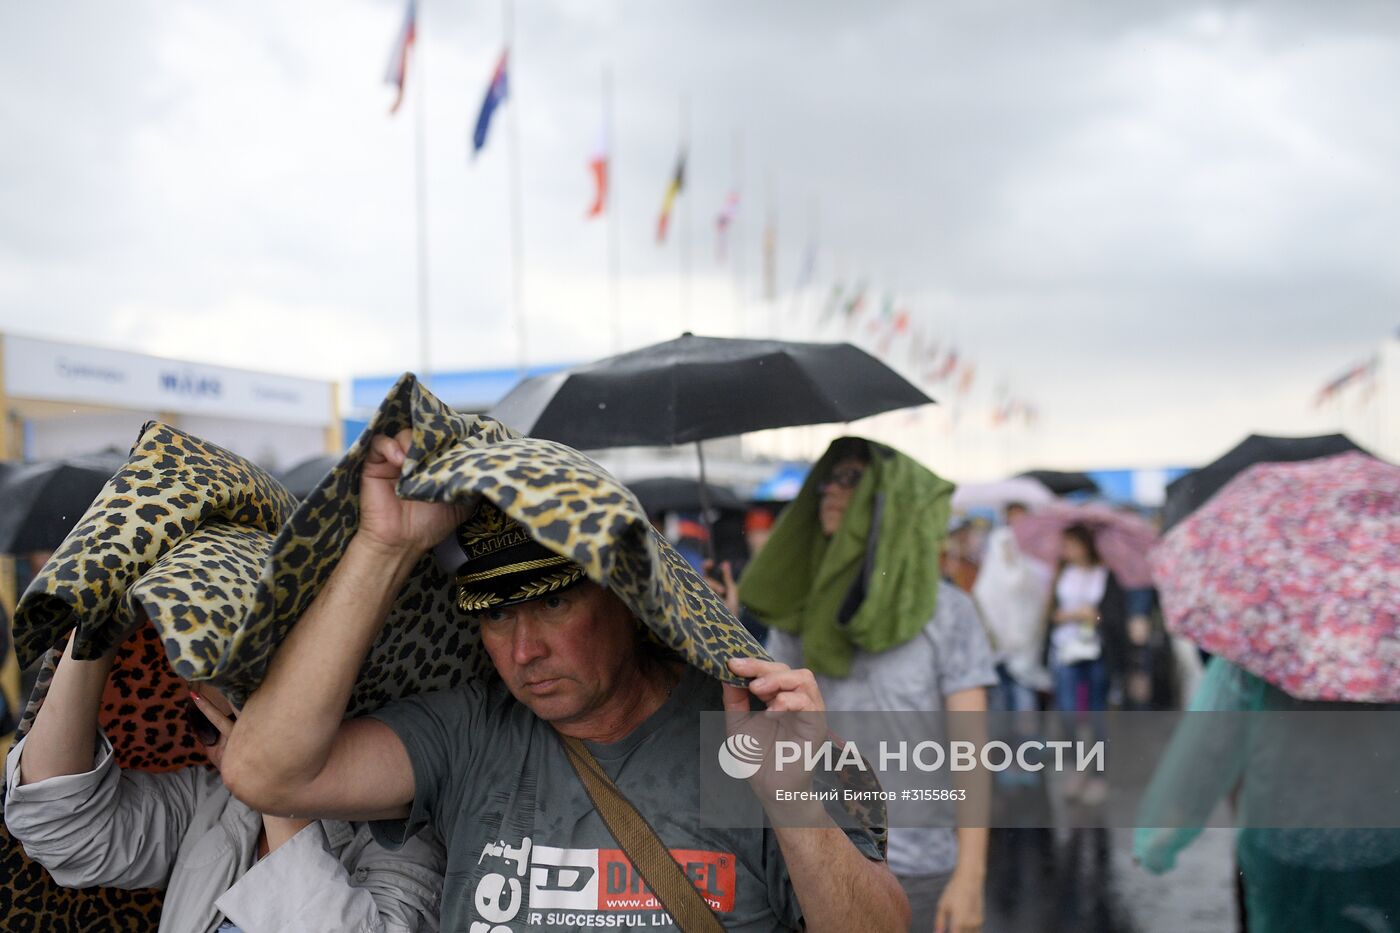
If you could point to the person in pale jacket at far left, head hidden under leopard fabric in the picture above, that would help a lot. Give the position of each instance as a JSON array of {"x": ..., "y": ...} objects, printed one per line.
[{"x": 223, "y": 866}]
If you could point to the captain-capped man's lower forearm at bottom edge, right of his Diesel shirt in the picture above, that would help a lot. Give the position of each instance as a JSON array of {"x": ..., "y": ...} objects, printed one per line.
[{"x": 838, "y": 887}]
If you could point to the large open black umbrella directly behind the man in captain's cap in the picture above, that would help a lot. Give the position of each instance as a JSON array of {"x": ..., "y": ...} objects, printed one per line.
[{"x": 694, "y": 389}]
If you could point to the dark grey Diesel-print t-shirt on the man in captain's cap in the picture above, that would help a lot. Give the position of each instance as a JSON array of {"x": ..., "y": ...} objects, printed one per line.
[{"x": 526, "y": 848}]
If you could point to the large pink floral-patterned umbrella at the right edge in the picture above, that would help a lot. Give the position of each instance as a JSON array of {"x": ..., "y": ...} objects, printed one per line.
[{"x": 1293, "y": 572}]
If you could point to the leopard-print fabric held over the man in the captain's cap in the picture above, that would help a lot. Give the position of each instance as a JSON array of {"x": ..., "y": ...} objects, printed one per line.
[{"x": 568, "y": 502}]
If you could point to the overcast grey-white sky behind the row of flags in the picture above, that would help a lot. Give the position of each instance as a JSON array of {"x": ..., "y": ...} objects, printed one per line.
[{"x": 1164, "y": 225}]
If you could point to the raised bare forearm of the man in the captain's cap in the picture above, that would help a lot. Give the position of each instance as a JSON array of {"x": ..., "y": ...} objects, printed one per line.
[{"x": 288, "y": 729}]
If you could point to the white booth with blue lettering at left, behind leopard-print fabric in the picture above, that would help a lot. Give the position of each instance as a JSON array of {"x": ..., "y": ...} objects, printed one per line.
[{"x": 64, "y": 400}]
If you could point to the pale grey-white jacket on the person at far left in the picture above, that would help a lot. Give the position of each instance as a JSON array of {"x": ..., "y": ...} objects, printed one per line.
[{"x": 183, "y": 831}]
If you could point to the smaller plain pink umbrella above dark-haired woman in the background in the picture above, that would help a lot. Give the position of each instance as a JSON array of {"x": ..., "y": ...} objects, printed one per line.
[{"x": 1123, "y": 540}]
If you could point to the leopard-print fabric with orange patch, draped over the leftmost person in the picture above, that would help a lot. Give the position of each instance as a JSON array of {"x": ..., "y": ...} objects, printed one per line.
[{"x": 178, "y": 536}]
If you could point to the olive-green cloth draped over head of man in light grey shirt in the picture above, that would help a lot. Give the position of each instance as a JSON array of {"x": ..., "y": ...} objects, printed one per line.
[{"x": 874, "y": 585}]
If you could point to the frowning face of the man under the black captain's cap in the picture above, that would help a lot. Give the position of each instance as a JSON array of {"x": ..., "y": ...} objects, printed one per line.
[{"x": 565, "y": 656}]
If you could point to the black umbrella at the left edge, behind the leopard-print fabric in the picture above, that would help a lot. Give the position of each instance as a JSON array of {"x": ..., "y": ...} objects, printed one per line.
[{"x": 40, "y": 504}]
